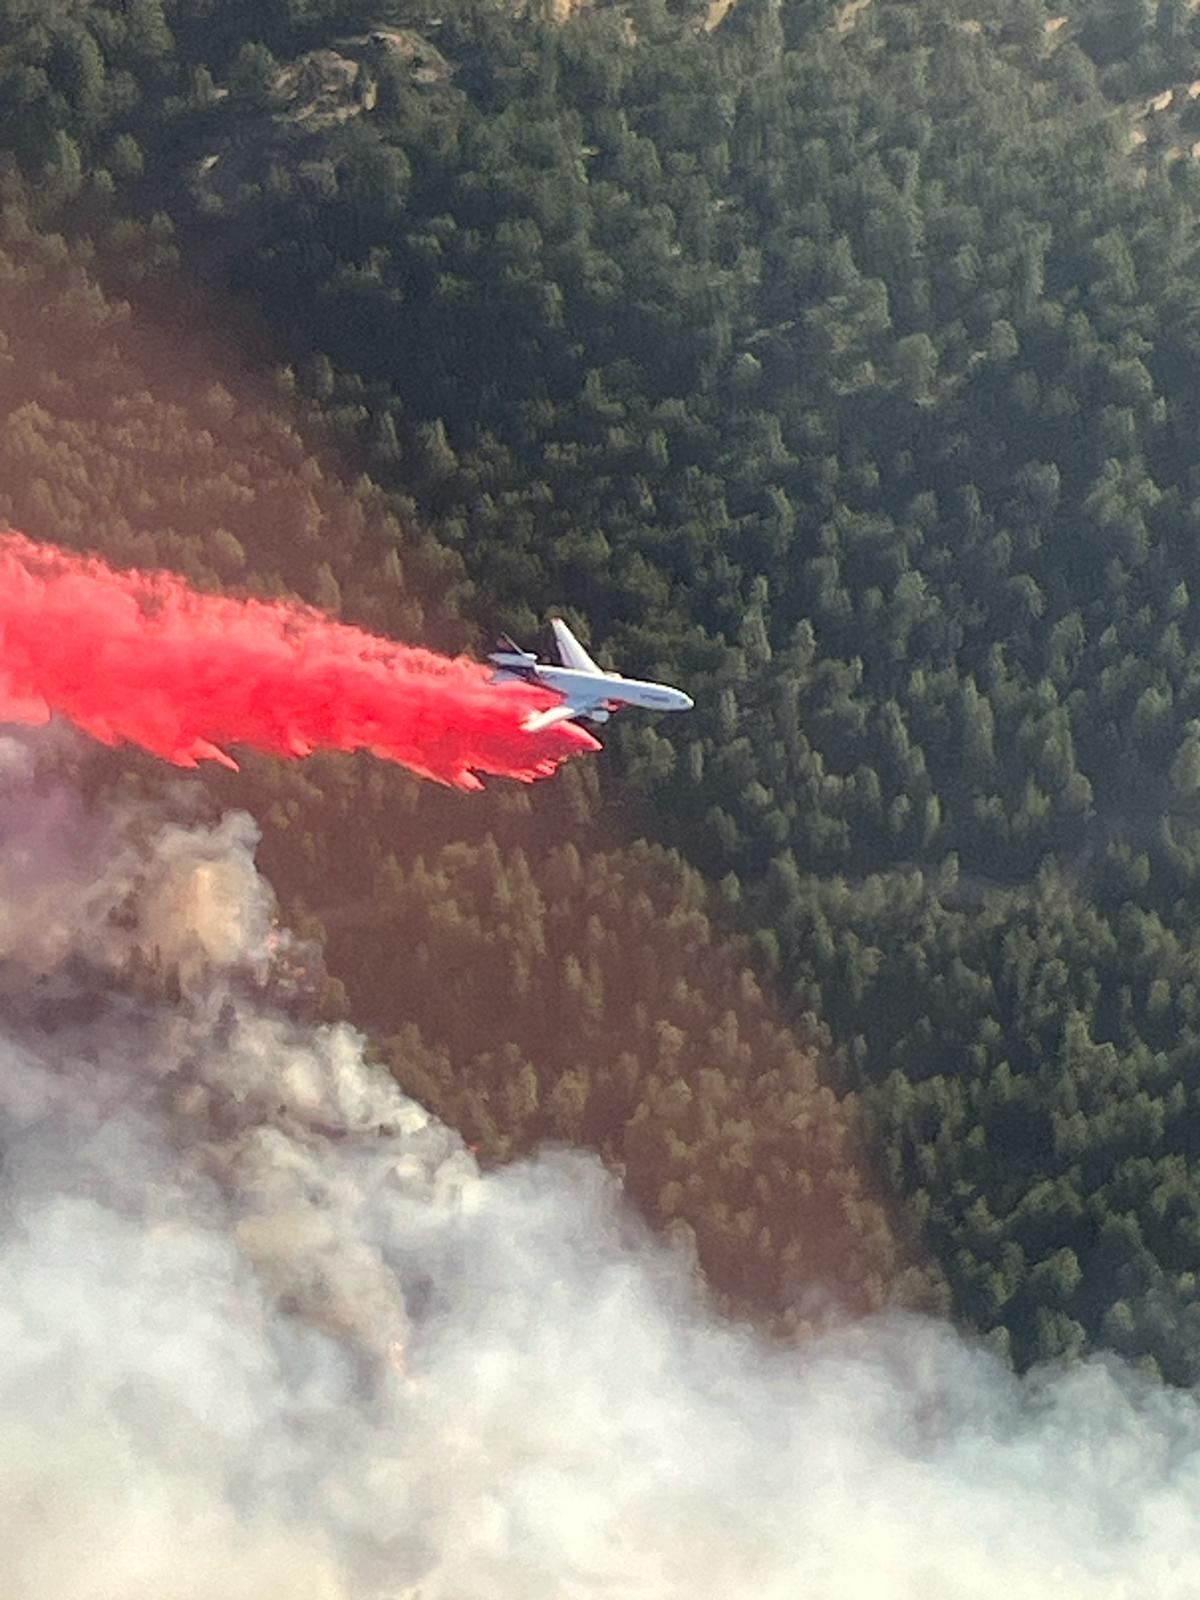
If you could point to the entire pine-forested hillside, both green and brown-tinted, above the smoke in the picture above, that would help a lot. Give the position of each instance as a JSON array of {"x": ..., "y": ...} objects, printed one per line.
[{"x": 838, "y": 361}]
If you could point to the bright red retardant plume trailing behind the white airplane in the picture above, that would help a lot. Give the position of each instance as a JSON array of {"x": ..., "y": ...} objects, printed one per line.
[{"x": 143, "y": 658}]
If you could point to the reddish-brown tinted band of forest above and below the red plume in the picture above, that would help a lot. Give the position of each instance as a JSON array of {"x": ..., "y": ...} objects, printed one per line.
[{"x": 524, "y": 988}]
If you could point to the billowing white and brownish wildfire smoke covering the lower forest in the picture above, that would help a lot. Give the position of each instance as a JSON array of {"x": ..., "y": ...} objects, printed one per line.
[{"x": 266, "y": 1330}]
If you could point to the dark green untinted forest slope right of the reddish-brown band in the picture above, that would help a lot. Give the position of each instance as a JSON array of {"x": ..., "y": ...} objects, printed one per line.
[{"x": 847, "y": 375}]
